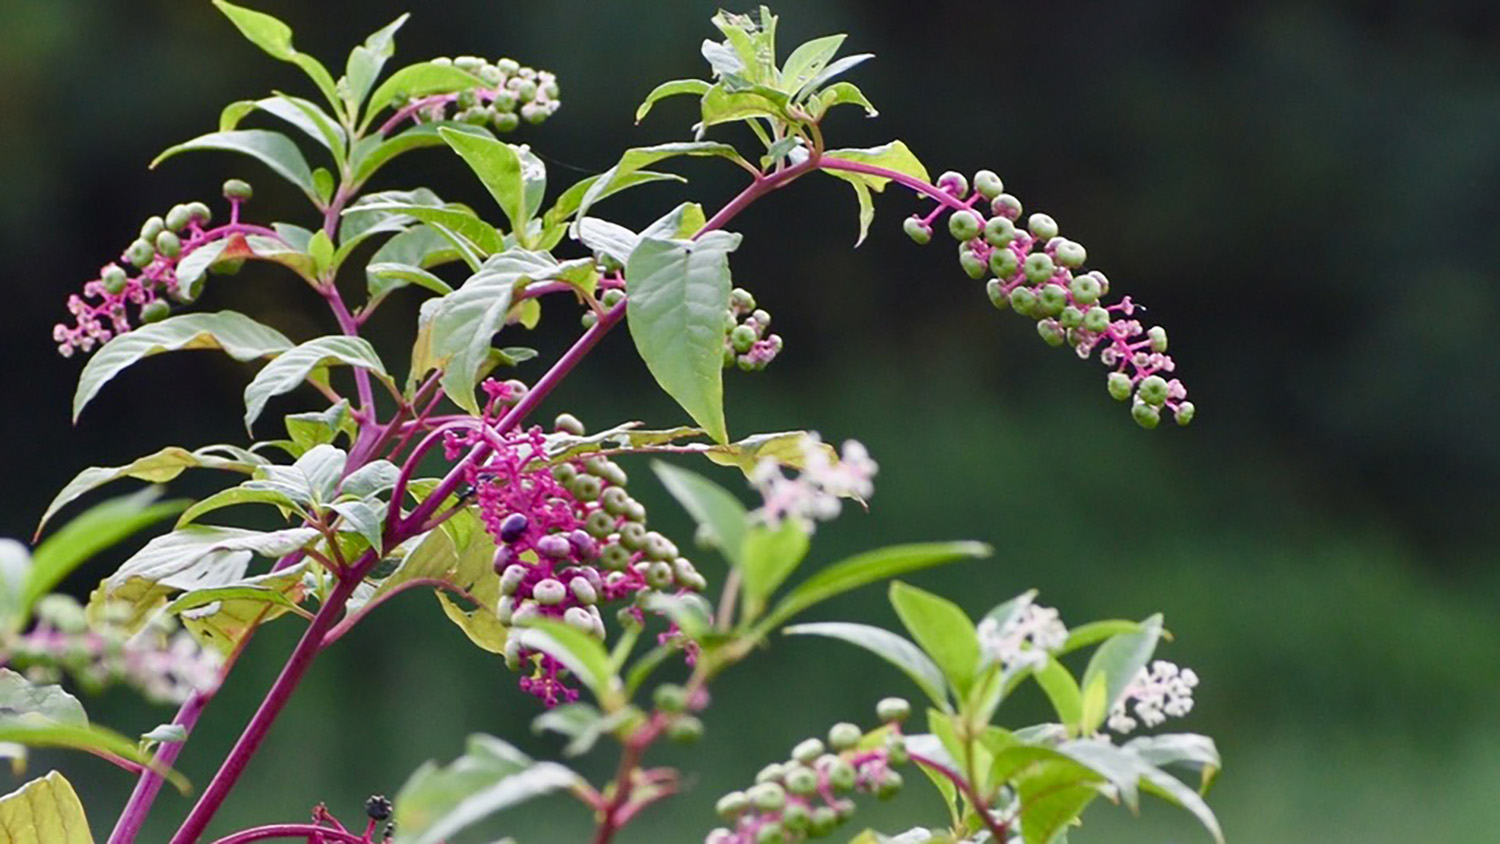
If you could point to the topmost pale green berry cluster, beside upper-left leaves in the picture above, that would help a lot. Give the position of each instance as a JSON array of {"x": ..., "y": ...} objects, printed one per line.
[{"x": 508, "y": 94}]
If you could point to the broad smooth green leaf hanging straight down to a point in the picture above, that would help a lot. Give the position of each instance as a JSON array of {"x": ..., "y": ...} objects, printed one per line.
[{"x": 679, "y": 296}]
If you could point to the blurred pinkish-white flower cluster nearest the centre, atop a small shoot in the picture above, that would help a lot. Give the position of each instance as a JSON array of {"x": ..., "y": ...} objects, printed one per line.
[{"x": 814, "y": 495}]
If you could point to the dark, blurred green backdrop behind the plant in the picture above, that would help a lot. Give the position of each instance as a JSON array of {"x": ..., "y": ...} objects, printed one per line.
[{"x": 1304, "y": 194}]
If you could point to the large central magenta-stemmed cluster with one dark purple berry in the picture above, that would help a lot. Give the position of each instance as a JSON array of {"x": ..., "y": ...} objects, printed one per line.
[{"x": 569, "y": 536}]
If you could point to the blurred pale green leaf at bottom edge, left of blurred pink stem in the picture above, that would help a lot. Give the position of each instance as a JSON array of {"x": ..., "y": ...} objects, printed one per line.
[{"x": 437, "y": 803}]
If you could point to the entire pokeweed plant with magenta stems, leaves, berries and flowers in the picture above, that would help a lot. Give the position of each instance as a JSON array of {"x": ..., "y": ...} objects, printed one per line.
[{"x": 529, "y": 534}]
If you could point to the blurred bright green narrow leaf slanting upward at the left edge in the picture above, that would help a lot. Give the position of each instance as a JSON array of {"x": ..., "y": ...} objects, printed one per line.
[{"x": 92, "y": 531}]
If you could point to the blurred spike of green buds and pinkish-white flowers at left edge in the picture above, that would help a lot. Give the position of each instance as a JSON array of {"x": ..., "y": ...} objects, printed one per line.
[{"x": 161, "y": 662}]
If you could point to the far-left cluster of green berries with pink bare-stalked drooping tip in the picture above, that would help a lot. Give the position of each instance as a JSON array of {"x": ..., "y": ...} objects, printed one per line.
[{"x": 166, "y": 241}]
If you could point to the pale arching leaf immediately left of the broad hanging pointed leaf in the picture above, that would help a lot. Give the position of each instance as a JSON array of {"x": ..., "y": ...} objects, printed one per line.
[{"x": 466, "y": 322}]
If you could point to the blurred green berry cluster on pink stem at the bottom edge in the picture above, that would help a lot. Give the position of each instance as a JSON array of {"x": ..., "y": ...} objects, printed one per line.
[{"x": 808, "y": 797}]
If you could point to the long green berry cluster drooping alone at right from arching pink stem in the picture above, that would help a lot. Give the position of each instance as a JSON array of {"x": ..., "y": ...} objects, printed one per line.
[{"x": 1039, "y": 274}]
